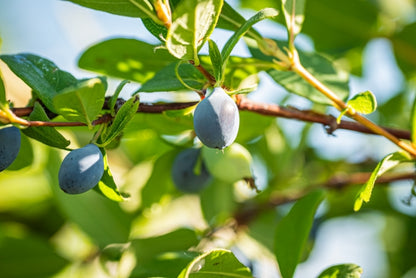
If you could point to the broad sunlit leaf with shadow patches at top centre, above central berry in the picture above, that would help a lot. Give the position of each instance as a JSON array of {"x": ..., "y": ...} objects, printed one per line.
[{"x": 192, "y": 24}]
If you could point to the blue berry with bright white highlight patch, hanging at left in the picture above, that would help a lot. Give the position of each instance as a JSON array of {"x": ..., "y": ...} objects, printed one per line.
[{"x": 81, "y": 169}]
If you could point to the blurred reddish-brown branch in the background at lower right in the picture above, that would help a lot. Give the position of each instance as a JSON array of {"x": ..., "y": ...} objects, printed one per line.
[{"x": 249, "y": 213}]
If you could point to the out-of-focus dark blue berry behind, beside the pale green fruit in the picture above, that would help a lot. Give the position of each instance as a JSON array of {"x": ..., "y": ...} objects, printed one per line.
[{"x": 187, "y": 175}]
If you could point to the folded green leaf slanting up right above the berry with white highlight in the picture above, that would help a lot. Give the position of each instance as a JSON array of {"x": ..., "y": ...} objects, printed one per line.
[{"x": 123, "y": 117}]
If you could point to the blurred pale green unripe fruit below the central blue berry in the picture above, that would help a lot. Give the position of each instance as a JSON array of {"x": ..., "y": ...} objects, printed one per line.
[{"x": 229, "y": 165}]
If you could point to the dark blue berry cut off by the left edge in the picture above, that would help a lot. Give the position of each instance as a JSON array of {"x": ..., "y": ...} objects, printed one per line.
[{"x": 9, "y": 146}]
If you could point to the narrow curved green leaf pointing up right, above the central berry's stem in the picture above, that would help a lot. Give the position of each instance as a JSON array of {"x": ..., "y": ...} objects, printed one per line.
[{"x": 230, "y": 44}]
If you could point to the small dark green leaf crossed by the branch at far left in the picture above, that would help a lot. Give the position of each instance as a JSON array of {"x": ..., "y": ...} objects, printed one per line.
[{"x": 45, "y": 134}]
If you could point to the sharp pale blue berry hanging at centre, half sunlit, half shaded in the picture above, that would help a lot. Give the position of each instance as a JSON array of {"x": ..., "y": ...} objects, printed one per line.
[{"x": 216, "y": 120}]
